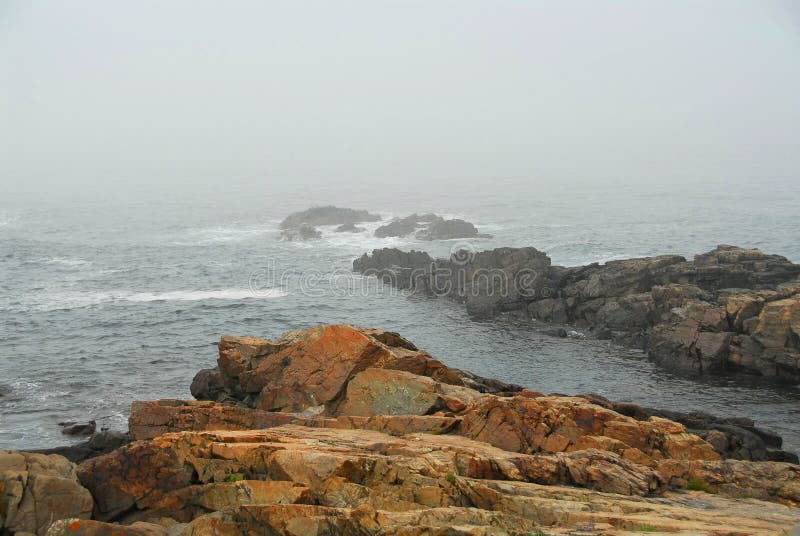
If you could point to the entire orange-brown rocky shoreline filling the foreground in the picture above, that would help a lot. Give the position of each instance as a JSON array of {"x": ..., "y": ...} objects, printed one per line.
[{"x": 341, "y": 430}]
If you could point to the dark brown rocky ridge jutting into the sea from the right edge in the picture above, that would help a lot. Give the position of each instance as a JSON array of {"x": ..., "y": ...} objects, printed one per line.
[{"x": 730, "y": 309}]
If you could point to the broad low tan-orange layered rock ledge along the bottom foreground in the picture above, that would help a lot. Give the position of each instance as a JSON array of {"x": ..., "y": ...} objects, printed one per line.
[{"x": 300, "y": 480}]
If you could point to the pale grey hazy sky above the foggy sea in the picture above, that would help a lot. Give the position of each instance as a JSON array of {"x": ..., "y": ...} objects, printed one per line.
[{"x": 97, "y": 93}]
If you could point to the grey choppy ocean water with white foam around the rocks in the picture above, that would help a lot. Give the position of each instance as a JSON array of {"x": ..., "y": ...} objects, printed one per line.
[{"x": 106, "y": 301}]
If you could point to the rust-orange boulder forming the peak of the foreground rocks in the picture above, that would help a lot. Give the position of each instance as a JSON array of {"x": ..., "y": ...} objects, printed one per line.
[{"x": 310, "y": 368}]
